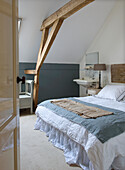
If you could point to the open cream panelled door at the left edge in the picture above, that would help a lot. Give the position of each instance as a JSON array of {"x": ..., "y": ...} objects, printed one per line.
[{"x": 9, "y": 107}]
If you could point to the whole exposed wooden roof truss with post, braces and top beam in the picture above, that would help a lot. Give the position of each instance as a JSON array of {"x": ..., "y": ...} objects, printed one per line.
[{"x": 54, "y": 22}]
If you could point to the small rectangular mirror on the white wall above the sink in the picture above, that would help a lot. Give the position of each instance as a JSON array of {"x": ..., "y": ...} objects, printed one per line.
[{"x": 91, "y": 59}]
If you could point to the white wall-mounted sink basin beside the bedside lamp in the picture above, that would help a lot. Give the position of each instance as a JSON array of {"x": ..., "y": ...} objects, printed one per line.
[{"x": 85, "y": 83}]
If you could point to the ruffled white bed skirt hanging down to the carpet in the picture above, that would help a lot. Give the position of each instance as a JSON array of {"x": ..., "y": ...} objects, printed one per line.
[{"x": 74, "y": 153}]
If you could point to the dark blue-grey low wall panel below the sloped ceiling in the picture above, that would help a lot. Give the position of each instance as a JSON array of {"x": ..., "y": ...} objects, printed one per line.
[{"x": 56, "y": 80}]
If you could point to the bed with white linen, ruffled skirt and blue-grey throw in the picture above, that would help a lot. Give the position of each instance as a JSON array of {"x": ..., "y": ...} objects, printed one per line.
[{"x": 82, "y": 145}]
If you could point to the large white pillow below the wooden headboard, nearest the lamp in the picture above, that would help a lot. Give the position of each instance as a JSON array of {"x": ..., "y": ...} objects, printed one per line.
[{"x": 112, "y": 92}]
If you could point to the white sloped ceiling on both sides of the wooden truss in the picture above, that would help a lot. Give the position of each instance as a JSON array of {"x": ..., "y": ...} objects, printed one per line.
[{"x": 74, "y": 37}]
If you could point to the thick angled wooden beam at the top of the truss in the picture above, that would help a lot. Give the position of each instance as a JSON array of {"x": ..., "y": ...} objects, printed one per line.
[{"x": 64, "y": 12}]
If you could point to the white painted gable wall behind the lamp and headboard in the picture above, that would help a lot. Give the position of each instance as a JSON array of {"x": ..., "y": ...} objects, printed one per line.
[{"x": 110, "y": 41}]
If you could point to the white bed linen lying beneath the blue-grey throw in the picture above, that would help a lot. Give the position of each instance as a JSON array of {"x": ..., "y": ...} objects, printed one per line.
[{"x": 100, "y": 155}]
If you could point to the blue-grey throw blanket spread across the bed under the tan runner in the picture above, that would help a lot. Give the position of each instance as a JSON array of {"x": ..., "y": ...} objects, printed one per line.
[{"x": 103, "y": 128}]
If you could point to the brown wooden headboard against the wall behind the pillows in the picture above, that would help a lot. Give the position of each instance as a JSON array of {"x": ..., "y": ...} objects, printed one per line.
[{"x": 118, "y": 73}]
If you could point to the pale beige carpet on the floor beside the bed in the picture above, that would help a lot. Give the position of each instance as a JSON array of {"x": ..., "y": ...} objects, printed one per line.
[{"x": 36, "y": 152}]
